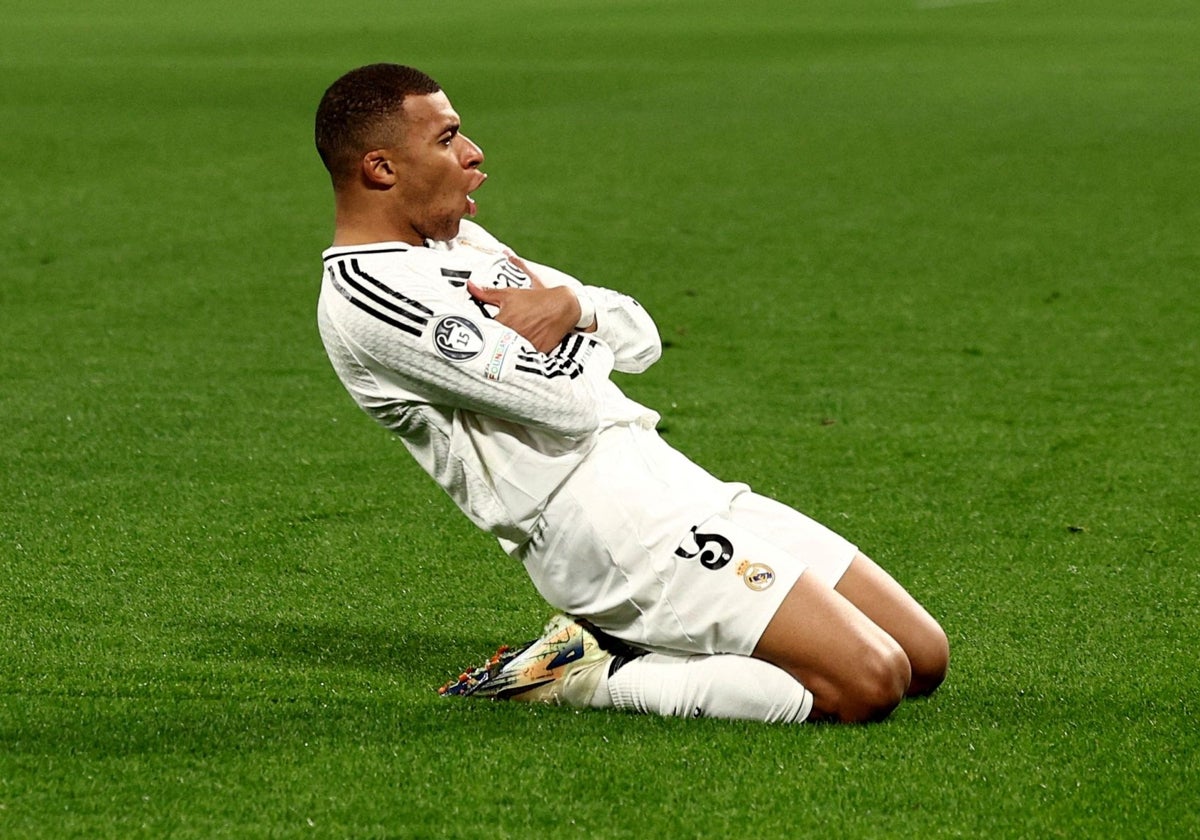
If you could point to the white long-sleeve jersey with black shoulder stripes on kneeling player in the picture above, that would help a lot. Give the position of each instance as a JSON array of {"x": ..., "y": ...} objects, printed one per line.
[{"x": 499, "y": 425}]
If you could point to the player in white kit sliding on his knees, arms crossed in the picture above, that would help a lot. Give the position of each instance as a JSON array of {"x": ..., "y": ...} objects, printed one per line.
[{"x": 681, "y": 595}]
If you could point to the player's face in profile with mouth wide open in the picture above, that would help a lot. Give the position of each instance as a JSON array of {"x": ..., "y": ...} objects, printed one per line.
[{"x": 437, "y": 170}]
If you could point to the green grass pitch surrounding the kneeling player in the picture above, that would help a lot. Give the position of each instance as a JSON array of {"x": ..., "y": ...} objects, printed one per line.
[{"x": 927, "y": 269}]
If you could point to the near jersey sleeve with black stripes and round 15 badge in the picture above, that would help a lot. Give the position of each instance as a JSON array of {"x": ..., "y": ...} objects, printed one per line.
[{"x": 399, "y": 339}]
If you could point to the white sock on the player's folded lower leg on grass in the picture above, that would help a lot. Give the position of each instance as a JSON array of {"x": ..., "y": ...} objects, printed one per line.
[{"x": 721, "y": 686}]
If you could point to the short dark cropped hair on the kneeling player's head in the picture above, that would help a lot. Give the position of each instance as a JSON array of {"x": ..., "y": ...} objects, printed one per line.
[{"x": 356, "y": 115}]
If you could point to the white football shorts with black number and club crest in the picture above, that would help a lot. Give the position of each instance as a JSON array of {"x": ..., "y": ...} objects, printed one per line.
[{"x": 655, "y": 550}]
